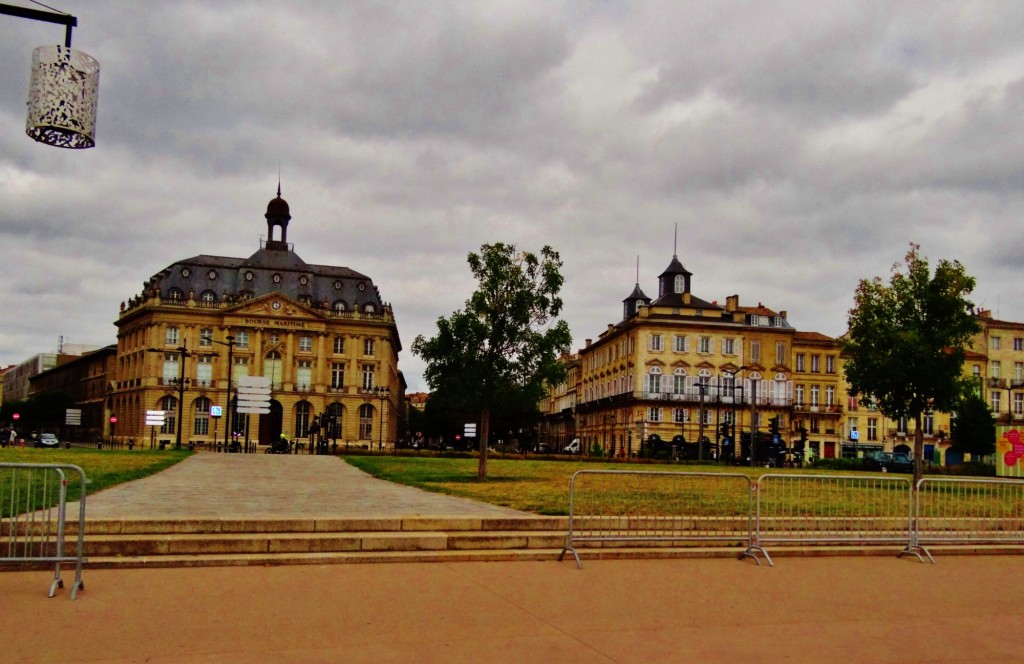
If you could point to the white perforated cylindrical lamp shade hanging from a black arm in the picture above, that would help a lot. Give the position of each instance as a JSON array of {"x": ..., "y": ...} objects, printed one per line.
[{"x": 63, "y": 97}]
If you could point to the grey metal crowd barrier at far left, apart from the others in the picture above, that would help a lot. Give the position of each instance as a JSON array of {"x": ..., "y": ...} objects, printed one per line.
[{"x": 33, "y": 518}]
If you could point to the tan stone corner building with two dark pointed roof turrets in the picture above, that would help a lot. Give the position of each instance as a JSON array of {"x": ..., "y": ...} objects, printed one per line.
[{"x": 679, "y": 369}]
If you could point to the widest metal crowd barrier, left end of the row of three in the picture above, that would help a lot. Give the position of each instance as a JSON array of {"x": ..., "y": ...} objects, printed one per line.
[{"x": 623, "y": 508}]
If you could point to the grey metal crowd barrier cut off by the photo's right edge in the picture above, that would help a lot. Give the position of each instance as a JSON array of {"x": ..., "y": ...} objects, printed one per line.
[{"x": 961, "y": 511}]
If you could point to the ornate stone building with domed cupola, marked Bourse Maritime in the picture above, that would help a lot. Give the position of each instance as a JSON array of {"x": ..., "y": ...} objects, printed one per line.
[{"x": 322, "y": 335}]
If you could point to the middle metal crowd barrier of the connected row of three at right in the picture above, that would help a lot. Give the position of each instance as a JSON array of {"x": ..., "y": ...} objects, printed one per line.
[{"x": 834, "y": 510}]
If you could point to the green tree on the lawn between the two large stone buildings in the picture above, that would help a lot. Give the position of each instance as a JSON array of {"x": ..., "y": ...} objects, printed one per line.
[{"x": 502, "y": 349}]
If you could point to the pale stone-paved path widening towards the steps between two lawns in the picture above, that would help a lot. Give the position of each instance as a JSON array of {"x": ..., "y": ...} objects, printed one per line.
[{"x": 240, "y": 486}]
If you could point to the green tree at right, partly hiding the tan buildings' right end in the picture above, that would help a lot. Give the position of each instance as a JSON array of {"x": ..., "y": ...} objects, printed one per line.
[{"x": 906, "y": 345}]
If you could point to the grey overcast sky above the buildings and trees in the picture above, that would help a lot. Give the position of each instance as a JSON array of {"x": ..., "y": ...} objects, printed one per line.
[{"x": 799, "y": 147}]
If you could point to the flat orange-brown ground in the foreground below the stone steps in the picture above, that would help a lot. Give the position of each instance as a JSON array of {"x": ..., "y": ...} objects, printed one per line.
[{"x": 964, "y": 609}]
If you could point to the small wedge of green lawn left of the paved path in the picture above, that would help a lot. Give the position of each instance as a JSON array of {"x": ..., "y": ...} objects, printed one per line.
[{"x": 103, "y": 469}]
